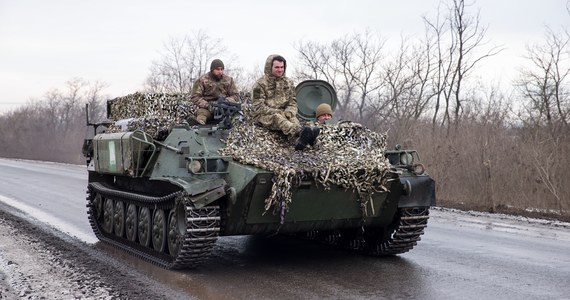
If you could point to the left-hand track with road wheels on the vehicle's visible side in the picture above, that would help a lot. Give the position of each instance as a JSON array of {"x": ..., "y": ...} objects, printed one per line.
[{"x": 189, "y": 238}]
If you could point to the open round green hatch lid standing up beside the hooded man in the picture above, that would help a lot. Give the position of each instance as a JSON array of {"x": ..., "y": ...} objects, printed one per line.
[{"x": 311, "y": 93}]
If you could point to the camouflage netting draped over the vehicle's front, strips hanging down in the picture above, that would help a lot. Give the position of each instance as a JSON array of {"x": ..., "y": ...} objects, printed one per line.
[{"x": 346, "y": 154}]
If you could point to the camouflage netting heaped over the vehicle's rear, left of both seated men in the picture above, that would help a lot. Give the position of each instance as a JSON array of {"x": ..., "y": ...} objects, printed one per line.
[{"x": 152, "y": 113}]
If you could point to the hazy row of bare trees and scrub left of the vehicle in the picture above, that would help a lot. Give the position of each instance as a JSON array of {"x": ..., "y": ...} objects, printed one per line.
[{"x": 53, "y": 127}]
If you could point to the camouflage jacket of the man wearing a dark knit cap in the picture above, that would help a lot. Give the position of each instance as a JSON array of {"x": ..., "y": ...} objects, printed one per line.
[{"x": 209, "y": 89}]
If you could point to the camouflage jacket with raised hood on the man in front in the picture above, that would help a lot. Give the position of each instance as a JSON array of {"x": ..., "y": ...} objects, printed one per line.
[{"x": 273, "y": 95}]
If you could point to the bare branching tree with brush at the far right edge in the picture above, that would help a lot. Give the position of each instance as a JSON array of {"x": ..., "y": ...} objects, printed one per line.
[{"x": 545, "y": 113}]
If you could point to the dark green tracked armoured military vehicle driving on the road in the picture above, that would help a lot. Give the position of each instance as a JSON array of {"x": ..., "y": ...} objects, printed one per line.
[{"x": 166, "y": 195}]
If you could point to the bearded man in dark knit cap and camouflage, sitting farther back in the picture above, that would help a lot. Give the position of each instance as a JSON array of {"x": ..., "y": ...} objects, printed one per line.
[{"x": 210, "y": 87}]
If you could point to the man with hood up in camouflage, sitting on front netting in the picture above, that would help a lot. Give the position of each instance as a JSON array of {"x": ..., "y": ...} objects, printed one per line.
[{"x": 275, "y": 103}]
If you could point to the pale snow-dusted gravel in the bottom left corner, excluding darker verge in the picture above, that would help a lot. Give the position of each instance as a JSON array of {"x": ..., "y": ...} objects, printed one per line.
[{"x": 33, "y": 269}]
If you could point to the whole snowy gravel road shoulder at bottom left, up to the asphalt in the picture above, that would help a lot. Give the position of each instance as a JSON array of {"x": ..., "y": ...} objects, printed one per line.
[{"x": 40, "y": 263}]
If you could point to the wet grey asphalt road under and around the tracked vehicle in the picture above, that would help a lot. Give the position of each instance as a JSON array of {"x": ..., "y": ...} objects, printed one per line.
[{"x": 461, "y": 256}]
